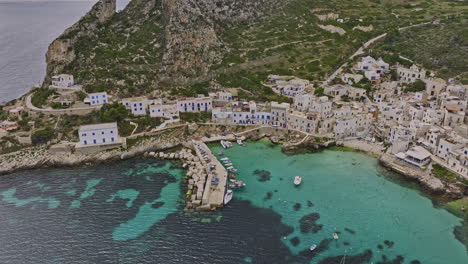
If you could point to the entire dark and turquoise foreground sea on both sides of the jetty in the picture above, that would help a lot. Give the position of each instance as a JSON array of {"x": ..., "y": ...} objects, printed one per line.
[{"x": 132, "y": 212}]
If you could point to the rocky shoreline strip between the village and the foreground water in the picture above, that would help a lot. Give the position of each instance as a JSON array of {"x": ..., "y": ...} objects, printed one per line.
[{"x": 291, "y": 142}]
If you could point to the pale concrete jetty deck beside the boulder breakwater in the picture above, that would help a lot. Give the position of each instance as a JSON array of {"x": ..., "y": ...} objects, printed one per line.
[{"x": 213, "y": 194}]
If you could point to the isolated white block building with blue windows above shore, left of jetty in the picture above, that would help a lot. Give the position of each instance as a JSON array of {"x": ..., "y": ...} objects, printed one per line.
[{"x": 99, "y": 134}]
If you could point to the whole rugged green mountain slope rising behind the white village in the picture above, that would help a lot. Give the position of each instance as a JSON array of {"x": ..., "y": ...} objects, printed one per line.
[{"x": 183, "y": 45}]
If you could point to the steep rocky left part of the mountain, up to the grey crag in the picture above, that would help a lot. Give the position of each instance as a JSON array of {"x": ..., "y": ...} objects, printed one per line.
[{"x": 150, "y": 43}]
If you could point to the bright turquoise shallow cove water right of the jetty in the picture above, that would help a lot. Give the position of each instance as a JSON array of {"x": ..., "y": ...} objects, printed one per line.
[{"x": 350, "y": 194}]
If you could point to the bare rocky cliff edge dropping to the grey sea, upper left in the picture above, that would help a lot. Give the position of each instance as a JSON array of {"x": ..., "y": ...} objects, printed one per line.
[{"x": 61, "y": 52}]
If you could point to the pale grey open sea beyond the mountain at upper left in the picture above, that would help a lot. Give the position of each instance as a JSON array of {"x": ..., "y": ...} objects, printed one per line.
[{"x": 26, "y": 30}]
